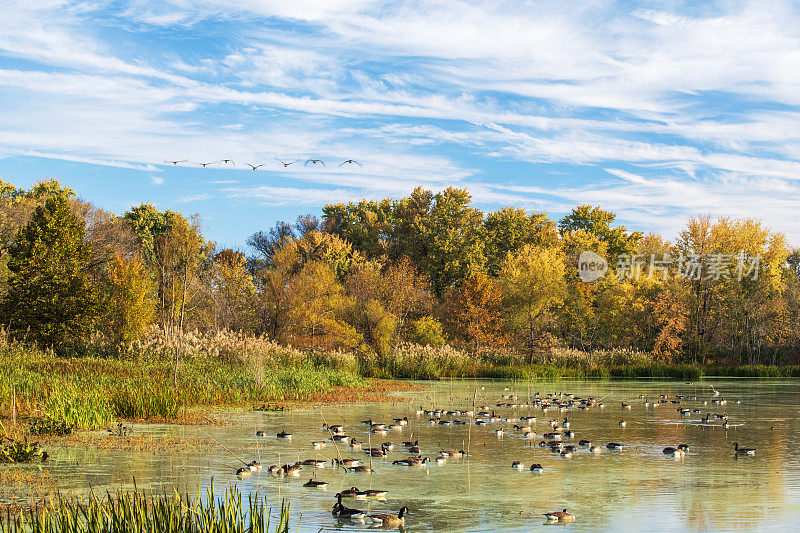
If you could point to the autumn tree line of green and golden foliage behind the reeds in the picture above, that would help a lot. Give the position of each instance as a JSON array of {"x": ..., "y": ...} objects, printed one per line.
[{"x": 430, "y": 269}]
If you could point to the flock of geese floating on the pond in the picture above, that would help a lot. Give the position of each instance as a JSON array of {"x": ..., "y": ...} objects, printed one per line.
[{"x": 557, "y": 438}]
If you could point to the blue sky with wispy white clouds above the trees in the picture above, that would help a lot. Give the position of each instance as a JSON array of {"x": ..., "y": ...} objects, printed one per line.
[{"x": 655, "y": 110}]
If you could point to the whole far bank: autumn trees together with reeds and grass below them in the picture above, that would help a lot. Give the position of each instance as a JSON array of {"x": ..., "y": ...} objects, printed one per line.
[{"x": 138, "y": 317}]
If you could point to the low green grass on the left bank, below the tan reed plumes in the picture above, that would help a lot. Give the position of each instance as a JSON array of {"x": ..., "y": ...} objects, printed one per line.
[{"x": 90, "y": 392}]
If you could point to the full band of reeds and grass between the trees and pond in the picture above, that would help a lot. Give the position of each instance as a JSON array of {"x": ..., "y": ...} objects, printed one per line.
[{"x": 54, "y": 395}]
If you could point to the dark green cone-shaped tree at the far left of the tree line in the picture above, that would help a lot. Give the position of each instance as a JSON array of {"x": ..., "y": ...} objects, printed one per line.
[{"x": 49, "y": 298}]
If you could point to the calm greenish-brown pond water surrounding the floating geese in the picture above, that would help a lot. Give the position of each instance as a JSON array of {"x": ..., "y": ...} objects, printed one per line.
[{"x": 636, "y": 488}]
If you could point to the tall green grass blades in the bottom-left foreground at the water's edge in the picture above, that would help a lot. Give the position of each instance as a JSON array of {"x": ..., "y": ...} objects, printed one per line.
[{"x": 136, "y": 511}]
